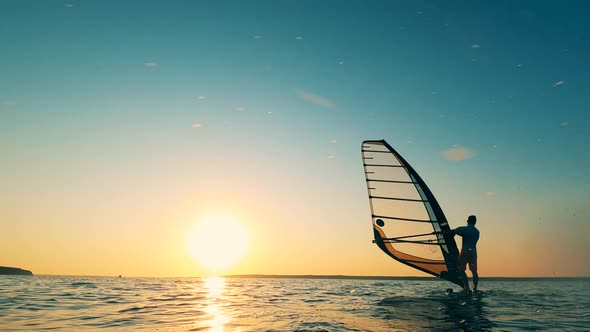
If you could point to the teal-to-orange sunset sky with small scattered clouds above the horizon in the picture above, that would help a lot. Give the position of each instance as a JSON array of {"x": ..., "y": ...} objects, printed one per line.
[{"x": 124, "y": 124}]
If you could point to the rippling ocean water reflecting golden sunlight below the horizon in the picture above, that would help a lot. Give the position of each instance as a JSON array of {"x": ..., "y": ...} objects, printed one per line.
[{"x": 42, "y": 303}]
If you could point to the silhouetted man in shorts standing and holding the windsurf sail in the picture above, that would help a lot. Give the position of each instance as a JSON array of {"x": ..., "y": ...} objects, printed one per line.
[{"x": 468, "y": 255}]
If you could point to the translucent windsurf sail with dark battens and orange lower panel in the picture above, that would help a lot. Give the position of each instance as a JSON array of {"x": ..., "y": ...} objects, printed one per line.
[{"x": 408, "y": 223}]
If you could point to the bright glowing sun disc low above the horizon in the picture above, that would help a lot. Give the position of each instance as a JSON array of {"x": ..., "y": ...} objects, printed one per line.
[{"x": 218, "y": 242}]
